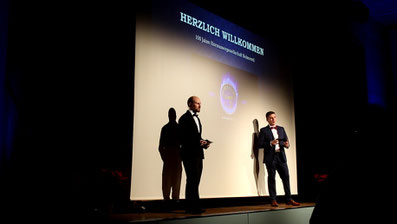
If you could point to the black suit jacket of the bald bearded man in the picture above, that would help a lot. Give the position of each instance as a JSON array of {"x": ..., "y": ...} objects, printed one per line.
[{"x": 190, "y": 137}]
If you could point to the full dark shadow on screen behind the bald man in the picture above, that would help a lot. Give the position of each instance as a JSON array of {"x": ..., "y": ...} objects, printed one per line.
[{"x": 170, "y": 154}]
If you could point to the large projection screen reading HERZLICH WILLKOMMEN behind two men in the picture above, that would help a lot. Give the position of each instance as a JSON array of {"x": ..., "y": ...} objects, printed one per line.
[{"x": 182, "y": 50}]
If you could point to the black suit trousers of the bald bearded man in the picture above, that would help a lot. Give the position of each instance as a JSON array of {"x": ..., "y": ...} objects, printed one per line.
[{"x": 193, "y": 168}]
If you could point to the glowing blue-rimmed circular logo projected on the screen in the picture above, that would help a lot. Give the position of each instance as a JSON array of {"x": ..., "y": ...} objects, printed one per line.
[{"x": 228, "y": 94}]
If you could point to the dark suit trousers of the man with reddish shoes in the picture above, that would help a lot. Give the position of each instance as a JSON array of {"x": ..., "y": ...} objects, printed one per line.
[{"x": 282, "y": 169}]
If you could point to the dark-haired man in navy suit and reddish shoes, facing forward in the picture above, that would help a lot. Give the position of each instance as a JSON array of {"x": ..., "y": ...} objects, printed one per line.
[{"x": 273, "y": 139}]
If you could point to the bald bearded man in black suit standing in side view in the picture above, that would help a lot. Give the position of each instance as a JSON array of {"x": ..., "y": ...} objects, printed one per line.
[{"x": 192, "y": 153}]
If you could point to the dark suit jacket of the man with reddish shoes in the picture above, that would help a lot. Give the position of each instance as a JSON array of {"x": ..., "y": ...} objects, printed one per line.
[{"x": 265, "y": 137}]
